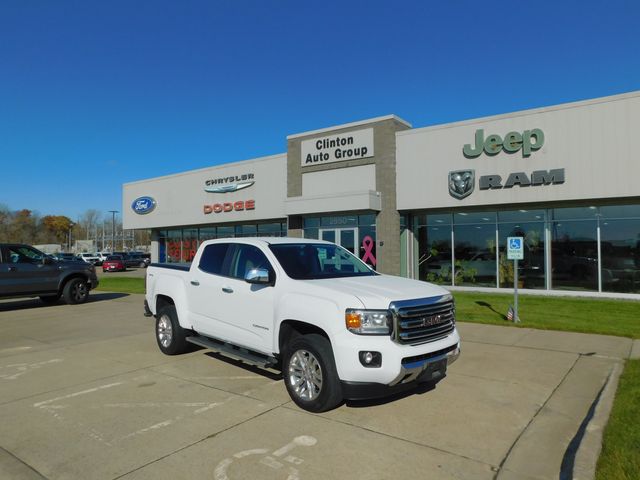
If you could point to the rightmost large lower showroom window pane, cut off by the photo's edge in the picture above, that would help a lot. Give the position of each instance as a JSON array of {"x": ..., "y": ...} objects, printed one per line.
[{"x": 620, "y": 254}]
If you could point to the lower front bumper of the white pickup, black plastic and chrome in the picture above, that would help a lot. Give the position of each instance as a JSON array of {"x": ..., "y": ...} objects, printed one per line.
[{"x": 424, "y": 369}]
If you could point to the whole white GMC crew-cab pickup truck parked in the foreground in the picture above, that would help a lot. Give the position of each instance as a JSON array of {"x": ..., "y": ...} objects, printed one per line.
[{"x": 336, "y": 328}]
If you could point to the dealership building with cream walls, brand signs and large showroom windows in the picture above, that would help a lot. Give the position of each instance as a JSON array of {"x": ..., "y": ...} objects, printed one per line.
[{"x": 435, "y": 203}]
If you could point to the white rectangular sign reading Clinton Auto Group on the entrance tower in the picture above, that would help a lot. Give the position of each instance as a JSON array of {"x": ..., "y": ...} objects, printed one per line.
[{"x": 338, "y": 148}]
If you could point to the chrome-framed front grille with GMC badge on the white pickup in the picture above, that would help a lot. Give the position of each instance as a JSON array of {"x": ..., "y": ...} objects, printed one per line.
[{"x": 423, "y": 320}]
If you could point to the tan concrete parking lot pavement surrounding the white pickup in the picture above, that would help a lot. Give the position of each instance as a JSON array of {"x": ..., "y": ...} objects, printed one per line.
[{"x": 85, "y": 393}]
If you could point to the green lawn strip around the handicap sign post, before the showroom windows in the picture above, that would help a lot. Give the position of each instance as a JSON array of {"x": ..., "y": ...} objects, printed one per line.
[{"x": 570, "y": 314}]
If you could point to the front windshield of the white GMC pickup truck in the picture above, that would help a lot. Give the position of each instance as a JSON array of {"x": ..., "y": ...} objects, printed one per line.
[{"x": 308, "y": 261}]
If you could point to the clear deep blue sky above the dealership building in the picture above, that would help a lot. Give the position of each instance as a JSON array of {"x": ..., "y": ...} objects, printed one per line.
[{"x": 96, "y": 94}]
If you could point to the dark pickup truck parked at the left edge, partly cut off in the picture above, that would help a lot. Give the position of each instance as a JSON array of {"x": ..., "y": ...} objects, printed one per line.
[{"x": 27, "y": 272}]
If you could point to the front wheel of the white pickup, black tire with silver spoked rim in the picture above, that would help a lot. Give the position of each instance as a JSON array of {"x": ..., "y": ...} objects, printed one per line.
[{"x": 310, "y": 374}]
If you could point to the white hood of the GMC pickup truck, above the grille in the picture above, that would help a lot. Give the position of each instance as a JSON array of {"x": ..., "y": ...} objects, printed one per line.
[{"x": 377, "y": 292}]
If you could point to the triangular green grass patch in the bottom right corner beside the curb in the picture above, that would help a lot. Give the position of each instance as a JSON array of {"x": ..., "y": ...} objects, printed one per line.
[{"x": 620, "y": 456}]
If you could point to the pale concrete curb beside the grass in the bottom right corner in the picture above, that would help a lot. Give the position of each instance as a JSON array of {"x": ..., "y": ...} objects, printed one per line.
[{"x": 589, "y": 450}]
